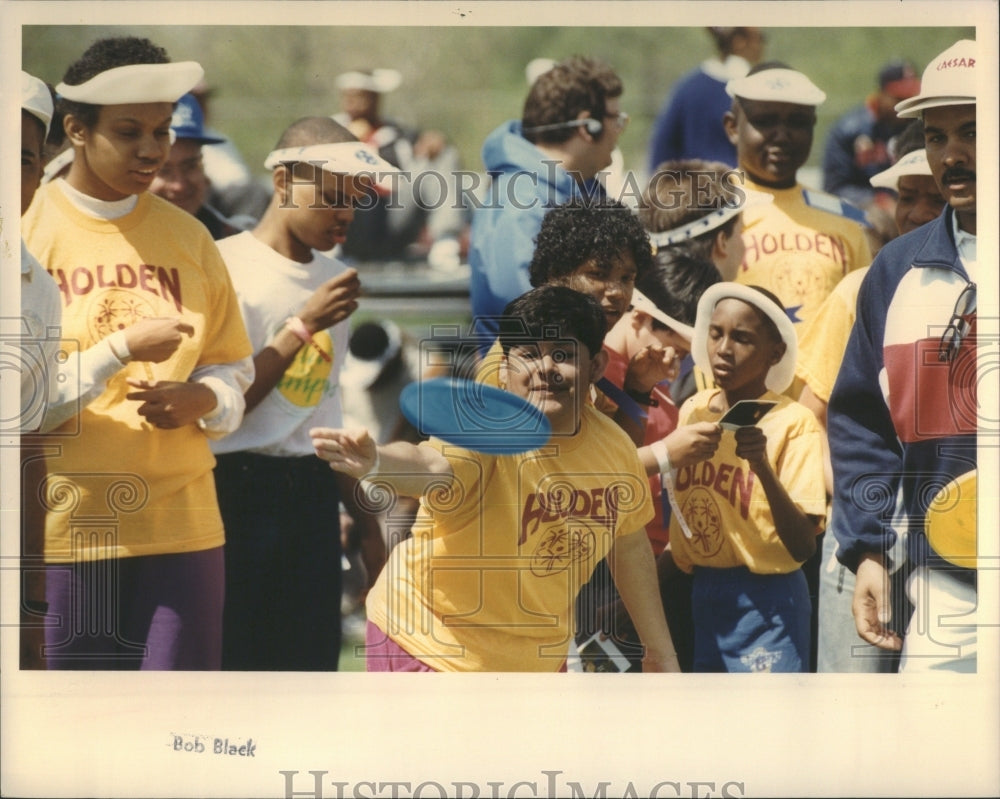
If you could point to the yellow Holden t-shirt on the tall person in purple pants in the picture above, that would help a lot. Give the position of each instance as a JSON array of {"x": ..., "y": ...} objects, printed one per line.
[{"x": 120, "y": 487}]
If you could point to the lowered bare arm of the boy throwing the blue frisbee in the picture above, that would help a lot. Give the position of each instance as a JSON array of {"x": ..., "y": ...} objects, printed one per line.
[{"x": 634, "y": 570}]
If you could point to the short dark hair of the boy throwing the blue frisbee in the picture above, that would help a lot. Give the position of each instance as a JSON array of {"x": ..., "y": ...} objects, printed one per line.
[{"x": 553, "y": 312}]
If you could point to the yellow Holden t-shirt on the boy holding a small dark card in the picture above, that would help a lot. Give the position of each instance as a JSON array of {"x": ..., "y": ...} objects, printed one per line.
[{"x": 722, "y": 502}]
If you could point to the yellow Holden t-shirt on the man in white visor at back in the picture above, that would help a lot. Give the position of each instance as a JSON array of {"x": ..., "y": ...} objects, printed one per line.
[{"x": 799, "y": 251}]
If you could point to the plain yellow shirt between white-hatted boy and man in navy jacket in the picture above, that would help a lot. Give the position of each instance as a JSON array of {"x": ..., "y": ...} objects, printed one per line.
[{"x": 823, "y": 339}]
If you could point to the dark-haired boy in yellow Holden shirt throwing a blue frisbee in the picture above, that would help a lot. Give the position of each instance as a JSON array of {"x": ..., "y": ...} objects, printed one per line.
[{"x": 503, "y": 543}]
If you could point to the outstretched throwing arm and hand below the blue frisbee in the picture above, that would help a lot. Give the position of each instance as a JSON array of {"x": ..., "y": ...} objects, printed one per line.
[{"x": 408, "y": 468}]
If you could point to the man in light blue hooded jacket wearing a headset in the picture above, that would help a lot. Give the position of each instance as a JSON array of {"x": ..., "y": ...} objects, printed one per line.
[{"x": 569, "y": 128}]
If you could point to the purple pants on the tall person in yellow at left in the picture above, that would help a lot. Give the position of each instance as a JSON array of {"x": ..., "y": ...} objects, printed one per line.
[{"x": 155, "y": 613}]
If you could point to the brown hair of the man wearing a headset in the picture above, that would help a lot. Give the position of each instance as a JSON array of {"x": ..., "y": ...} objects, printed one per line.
[{"x": 573, "y": 85}]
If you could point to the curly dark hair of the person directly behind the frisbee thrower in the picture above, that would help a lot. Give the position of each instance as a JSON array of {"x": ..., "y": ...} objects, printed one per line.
[{"x": 587, "y": 230}]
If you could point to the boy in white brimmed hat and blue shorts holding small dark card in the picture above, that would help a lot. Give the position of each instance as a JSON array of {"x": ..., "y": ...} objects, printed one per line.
[{"x": 747, "y": 518}]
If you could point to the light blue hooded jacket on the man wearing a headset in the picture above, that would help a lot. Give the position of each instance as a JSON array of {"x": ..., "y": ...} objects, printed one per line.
[{"x": 524, "y": 185}]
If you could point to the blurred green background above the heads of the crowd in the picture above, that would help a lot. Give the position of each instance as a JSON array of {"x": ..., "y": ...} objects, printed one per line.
[{"x": 467, "y": 80}]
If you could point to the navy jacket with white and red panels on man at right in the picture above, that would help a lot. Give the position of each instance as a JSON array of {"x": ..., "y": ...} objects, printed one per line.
[{"x": 910, "y": 438}]
